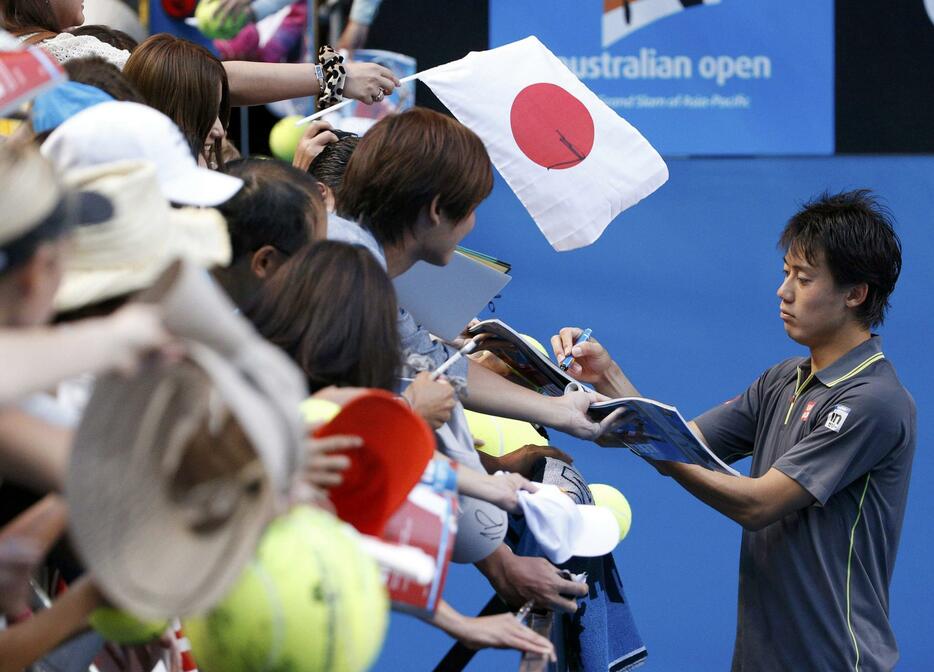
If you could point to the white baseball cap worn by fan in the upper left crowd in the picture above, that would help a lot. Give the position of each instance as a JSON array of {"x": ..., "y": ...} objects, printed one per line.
[{"x": 119, "y": 131}]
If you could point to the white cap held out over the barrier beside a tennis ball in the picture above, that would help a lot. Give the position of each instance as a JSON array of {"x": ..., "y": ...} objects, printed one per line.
[{"x": 564, "y": 529}]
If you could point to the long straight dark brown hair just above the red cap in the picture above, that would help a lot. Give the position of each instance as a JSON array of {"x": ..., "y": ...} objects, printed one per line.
[{"x": 332, "y": 308}]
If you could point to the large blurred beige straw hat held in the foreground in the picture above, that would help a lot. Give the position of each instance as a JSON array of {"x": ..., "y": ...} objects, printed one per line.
[{"x": 175, "y": 472}]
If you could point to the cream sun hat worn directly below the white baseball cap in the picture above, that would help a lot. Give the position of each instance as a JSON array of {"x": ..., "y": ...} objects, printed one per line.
[{"x": 145, "y": 234}]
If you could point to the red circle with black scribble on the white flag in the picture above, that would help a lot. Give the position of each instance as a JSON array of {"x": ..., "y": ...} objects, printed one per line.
[{"x": 552, "y": 127}]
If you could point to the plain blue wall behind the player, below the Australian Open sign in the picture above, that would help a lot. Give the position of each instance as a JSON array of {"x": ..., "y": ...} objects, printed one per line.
[{"x": 682, "y": 290}]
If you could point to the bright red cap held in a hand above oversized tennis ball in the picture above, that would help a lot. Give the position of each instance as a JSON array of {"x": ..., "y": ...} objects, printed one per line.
[{"x": 397, "y": 446}]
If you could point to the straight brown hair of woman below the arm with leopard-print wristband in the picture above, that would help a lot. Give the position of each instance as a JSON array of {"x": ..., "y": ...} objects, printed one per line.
[{"x": 180, "y": 79}]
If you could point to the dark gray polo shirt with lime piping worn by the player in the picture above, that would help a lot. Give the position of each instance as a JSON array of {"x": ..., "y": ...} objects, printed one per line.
[{"x": 814, "y": 586}]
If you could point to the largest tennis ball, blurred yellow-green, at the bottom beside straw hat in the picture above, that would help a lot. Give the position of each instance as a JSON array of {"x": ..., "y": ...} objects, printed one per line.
[{"x": 311, "y": 601}]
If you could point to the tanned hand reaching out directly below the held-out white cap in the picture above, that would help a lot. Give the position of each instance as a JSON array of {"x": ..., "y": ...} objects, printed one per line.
[{"x": 518, "y": 579}]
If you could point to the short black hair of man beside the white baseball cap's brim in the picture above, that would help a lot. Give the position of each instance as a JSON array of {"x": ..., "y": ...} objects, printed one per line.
[{"x": 272, "y": 208}]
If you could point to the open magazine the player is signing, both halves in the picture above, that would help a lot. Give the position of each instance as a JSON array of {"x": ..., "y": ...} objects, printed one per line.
[{"x": 648, "y": 428}]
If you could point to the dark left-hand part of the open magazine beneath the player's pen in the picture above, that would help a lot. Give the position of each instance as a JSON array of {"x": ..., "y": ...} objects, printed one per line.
[{"x": 528, "y": 366}]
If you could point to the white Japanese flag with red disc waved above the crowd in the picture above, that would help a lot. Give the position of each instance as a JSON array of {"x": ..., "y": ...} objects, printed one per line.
[{"x": 573, "y": 162}]
